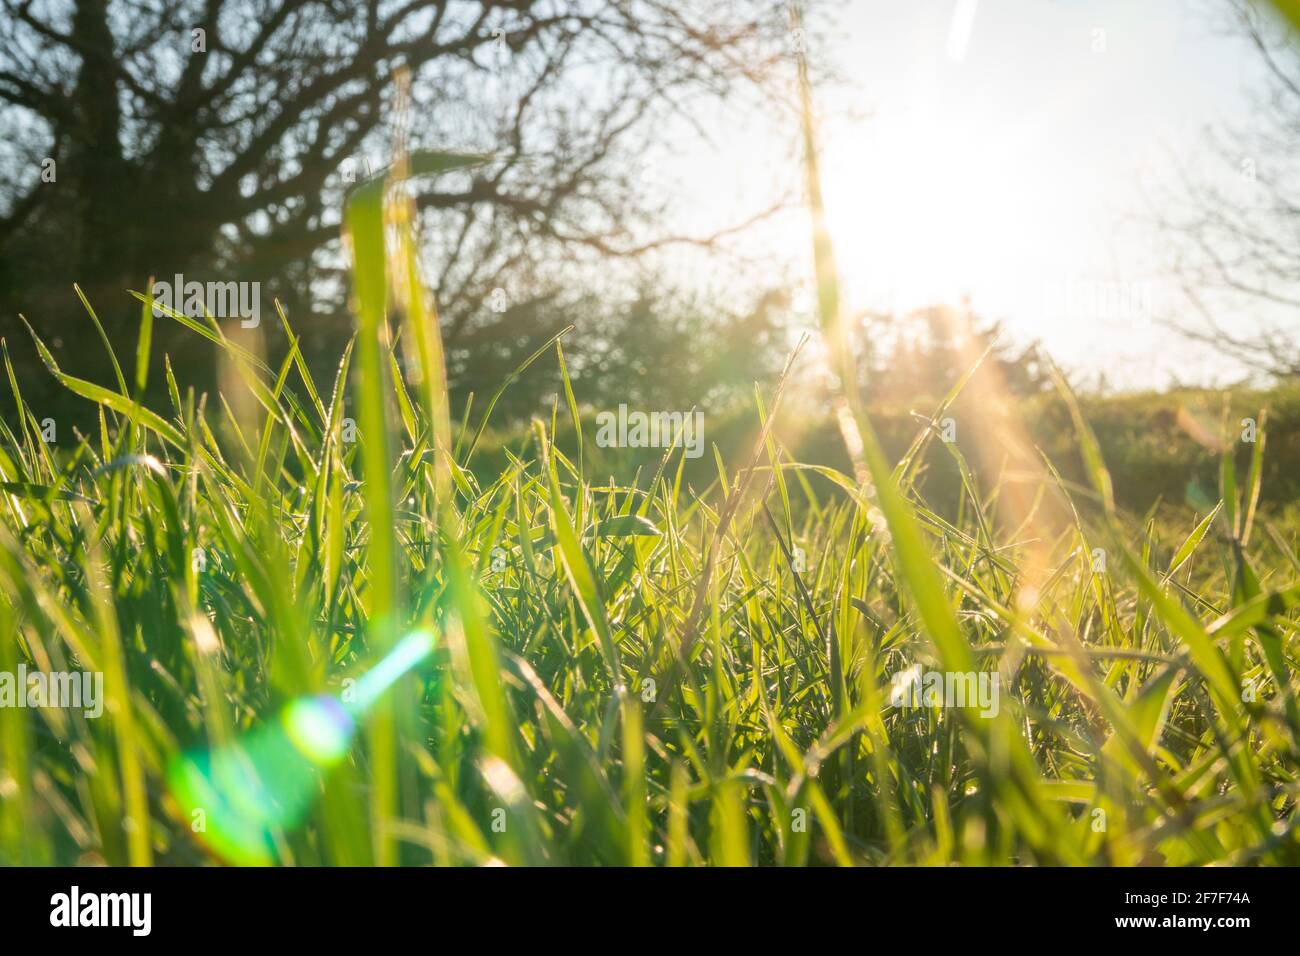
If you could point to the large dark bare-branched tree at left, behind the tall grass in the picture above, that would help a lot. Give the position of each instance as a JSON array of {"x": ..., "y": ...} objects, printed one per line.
[{"x": 215, "y": 139}]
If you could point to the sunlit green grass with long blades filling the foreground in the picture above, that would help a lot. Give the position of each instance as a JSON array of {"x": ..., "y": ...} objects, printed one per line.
[{"x": 626, "y": 673}]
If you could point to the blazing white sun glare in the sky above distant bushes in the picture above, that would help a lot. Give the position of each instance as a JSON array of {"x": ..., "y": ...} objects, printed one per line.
[{"x": 944, "y": 197}]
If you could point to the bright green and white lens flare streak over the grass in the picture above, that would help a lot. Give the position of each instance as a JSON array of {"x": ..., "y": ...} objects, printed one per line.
[{"x": 241, "y": 799}]
